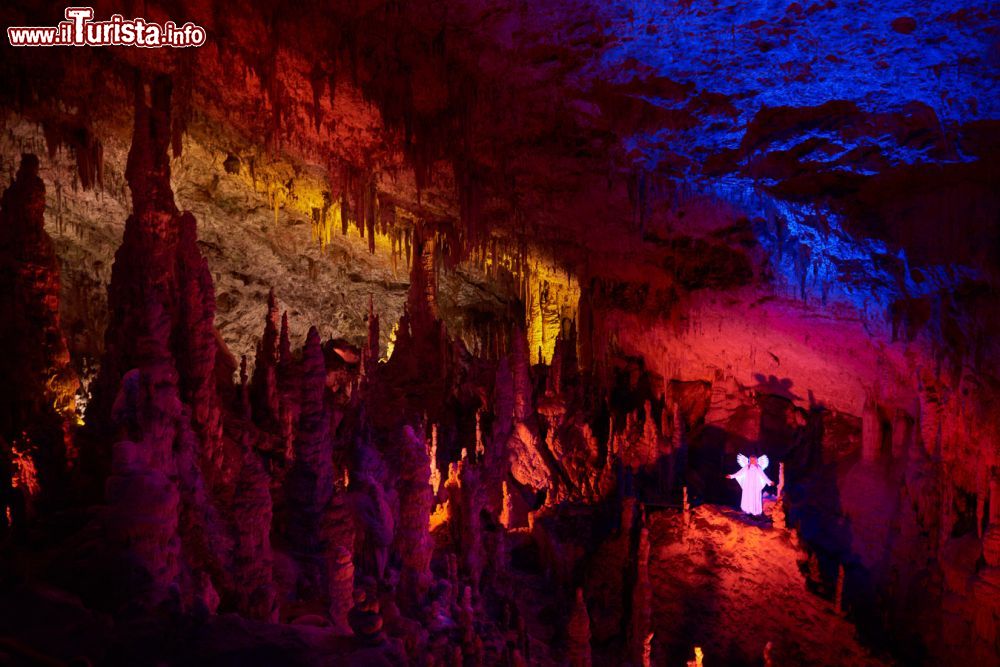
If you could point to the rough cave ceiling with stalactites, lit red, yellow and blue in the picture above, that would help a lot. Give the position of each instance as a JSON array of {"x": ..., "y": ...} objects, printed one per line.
[{"x": 834, "y": 155}]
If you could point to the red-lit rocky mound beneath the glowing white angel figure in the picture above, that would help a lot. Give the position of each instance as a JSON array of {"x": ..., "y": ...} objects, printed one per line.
[{"x": 731, "y": 584}]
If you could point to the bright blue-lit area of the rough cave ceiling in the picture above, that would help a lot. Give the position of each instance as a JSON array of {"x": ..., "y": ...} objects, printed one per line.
[{"x": 883, "y": 55}]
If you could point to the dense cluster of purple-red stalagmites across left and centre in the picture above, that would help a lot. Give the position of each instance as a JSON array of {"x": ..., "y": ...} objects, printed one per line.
[{"x": 313, "y": 489}]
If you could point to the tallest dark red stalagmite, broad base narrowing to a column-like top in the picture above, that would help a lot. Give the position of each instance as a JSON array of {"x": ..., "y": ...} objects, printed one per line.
[{"x": 157, "y": 382}]
